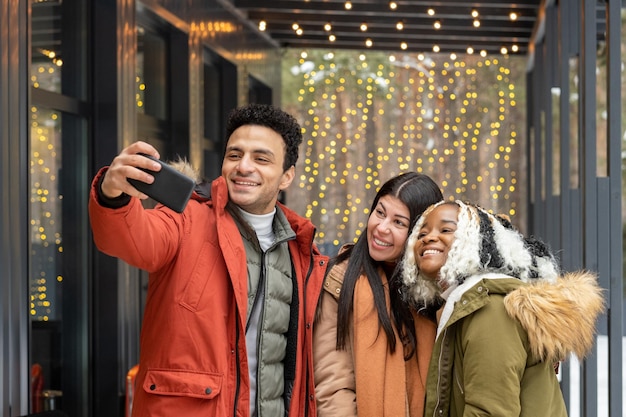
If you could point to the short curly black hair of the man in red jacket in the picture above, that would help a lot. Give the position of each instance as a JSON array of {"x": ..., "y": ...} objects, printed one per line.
[{"x": 274, "y": 118}]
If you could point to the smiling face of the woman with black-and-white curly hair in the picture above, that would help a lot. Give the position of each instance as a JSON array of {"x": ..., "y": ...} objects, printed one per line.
[{"x": 435, "y": 239}]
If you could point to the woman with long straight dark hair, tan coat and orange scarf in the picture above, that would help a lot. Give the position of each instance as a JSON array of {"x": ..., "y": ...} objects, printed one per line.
[{"x": 370, "y": 350}]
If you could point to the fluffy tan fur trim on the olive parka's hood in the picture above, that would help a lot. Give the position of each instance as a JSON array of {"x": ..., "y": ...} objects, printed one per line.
[{"x": 559, "y": 317}]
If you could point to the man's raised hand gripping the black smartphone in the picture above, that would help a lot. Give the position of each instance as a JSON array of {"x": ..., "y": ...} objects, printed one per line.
[{"x": 126, "y": 165}]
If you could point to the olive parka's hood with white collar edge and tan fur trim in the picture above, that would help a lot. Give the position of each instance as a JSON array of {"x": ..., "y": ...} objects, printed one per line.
[{"x": 559, "y": 317}]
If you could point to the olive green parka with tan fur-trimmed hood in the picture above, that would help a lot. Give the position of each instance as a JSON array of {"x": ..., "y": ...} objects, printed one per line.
[{"x": 498, "y": 341}]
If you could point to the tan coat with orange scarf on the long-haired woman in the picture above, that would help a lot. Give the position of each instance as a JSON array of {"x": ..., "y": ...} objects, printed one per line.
[{"x": 387, "y": 385}]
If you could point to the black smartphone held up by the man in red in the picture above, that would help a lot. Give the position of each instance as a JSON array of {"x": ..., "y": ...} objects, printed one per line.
[{"x": 170, "y": 187}]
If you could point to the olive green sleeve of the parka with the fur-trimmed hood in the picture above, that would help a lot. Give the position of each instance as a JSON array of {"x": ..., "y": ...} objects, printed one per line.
[{"x": 495, "y": 355}]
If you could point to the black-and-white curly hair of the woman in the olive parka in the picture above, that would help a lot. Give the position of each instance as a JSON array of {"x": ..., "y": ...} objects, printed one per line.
[{"x": 484, "y": 243}]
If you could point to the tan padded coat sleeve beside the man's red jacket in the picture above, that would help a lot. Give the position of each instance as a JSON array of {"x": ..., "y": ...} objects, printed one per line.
[{"x": 334, "y": 369}]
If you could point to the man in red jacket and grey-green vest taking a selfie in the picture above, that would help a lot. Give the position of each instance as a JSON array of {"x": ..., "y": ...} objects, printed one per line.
[{"x": 234, "y": 278}]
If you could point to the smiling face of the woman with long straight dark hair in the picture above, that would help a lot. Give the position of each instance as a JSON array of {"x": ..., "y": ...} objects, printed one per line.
[{"x": 388, "y": 229}]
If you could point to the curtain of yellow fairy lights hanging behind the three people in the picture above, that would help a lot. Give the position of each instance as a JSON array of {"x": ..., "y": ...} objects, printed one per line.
[{"x": 369, "y": 117}]
